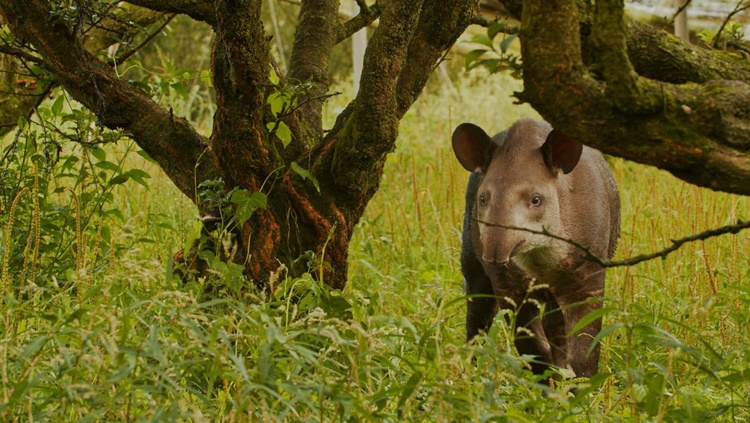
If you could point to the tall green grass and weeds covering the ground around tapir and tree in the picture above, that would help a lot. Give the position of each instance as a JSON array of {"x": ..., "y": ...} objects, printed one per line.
[{"x": 95, "y": 326}]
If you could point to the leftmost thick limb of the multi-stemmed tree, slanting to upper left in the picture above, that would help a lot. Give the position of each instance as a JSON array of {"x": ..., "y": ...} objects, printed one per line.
[{"x": 169, "y": 140}]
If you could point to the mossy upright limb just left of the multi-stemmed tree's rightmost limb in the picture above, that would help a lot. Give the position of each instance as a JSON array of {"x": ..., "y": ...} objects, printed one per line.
[{"x": 370, "y": 131}]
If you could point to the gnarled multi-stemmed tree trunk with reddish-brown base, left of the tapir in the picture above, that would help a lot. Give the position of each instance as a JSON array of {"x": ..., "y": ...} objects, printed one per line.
[{"x": 347, "y": 162}]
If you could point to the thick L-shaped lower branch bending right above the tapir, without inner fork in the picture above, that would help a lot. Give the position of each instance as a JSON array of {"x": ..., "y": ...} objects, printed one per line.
[{"x": 698, "y": 132}]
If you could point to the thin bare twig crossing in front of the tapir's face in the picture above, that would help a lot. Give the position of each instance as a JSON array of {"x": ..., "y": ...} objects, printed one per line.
[{"x": 676, "y": 244}]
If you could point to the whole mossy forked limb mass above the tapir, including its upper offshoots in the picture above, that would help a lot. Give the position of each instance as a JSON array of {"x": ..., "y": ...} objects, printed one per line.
[{"x": 633, "y": 91}]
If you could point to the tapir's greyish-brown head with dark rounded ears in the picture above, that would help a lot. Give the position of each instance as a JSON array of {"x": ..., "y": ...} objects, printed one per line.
[{"x": 525, "y": 179}]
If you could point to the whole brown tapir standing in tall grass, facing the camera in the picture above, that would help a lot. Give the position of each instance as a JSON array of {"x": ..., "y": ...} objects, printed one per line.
[{"x": 527, "y": 183}]
